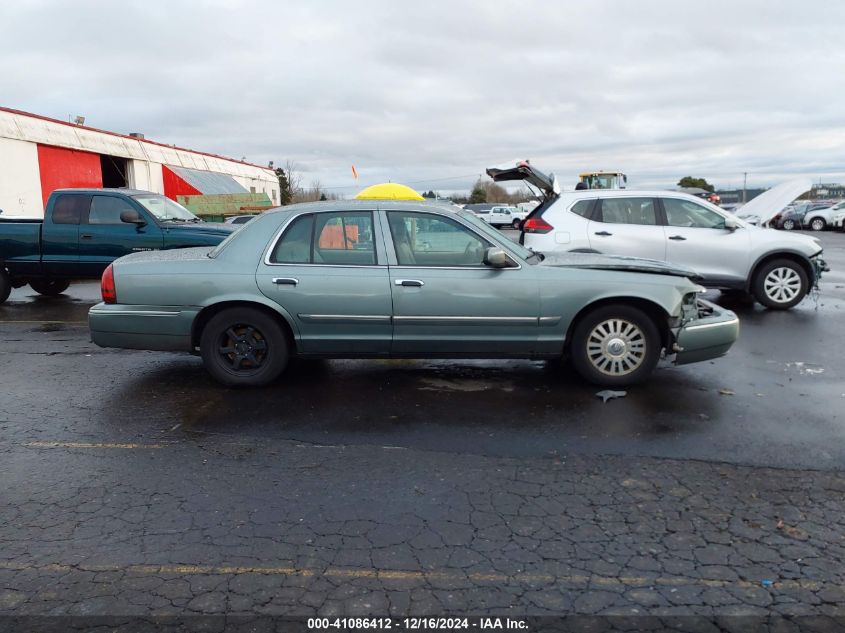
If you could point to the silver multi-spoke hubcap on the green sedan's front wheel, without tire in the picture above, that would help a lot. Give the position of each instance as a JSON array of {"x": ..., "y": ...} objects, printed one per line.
[{"x": 616, "y": 347}]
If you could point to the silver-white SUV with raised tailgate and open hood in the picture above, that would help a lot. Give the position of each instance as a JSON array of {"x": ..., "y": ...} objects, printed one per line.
[{"x": 778, "y": 269}]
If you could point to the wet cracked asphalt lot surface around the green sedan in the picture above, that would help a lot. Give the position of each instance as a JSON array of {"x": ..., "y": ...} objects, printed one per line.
[{"x": 135, "y": 486}]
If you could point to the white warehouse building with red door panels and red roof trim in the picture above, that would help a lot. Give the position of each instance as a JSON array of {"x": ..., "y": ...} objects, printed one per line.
[{"x": 39, "y": 155}]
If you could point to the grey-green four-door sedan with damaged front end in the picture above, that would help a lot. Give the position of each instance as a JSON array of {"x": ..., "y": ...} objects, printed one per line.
[{"x": 392, "y": 279}]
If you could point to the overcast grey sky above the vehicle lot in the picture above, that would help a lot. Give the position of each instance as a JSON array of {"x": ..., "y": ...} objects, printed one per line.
[{"x": 431, "y": 93}]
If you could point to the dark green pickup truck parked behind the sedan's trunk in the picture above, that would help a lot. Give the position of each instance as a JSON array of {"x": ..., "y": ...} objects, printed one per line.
[{"x": 84, "y": 230}]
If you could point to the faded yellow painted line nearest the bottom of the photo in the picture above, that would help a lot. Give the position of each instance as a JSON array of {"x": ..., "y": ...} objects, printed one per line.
[{"x": 391, "y": 574}]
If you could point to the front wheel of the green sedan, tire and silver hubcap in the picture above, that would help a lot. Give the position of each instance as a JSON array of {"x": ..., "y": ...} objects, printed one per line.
[{"x": 615, "y": 345}]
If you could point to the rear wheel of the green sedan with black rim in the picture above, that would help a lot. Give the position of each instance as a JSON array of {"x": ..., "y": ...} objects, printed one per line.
[{"x": 244, "y": 347}]
